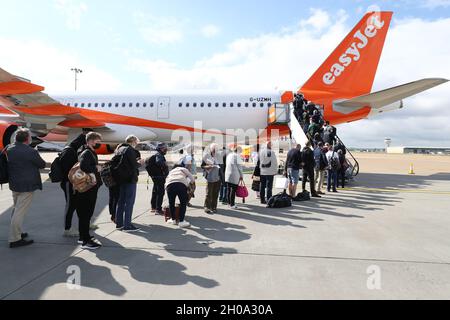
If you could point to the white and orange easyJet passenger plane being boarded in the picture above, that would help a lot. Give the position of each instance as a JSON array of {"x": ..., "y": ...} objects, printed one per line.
[{"x": 341, "y": 86}]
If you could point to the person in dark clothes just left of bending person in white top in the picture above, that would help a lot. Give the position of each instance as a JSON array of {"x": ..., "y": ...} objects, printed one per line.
[{"x": 158, "y": 170}]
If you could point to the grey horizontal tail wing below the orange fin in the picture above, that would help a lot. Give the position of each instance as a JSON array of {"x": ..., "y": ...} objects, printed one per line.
[{"x": 387, "y": 97}]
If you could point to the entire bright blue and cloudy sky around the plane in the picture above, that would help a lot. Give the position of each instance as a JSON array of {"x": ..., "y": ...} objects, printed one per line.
[{"x": 226, "y": 46}]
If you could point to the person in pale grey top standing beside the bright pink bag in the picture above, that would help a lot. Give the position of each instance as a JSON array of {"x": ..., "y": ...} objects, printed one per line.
[{"x": 233, "y": 174}]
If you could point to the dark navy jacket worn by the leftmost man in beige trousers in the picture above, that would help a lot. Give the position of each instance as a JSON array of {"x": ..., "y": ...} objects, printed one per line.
[{"x": 24, "y": 163}]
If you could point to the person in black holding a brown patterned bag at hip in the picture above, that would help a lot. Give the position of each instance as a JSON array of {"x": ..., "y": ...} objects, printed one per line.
[{"x": 85, "y": 202}]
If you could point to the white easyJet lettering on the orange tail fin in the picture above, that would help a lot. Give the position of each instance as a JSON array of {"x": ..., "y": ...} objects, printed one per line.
[{"x": 353, "y": 53}]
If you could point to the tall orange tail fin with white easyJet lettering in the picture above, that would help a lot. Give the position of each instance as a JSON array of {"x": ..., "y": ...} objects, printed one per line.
[{"x": 350, "y": 70}]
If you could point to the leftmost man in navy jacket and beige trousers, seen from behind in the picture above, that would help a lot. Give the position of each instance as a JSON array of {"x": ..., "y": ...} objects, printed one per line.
[{"x": 23, "y": 164}]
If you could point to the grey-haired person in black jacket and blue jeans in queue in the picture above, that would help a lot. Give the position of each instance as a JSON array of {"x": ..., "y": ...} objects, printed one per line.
[{"x": 128, "y": 171}]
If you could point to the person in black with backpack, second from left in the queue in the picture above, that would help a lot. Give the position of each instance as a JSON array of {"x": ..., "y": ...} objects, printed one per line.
[{"x": 68, "y": 158}]
